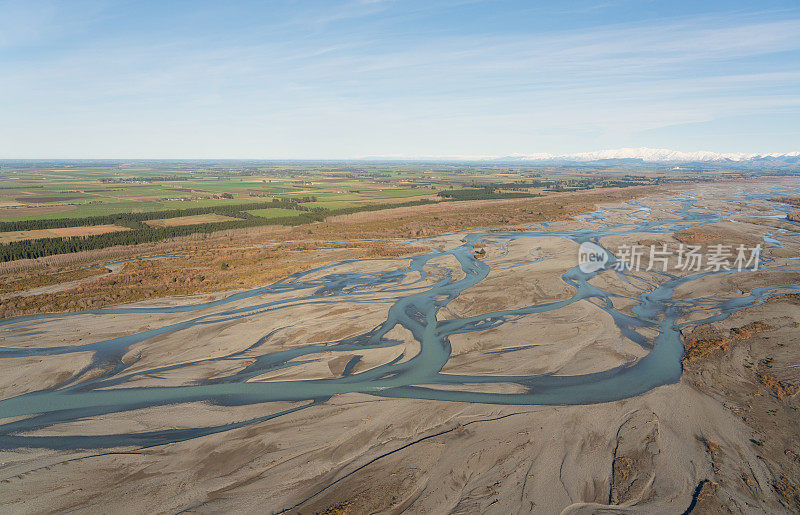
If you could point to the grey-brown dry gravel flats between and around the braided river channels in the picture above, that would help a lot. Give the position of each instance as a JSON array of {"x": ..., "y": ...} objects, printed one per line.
[{"x": 722, "y": 438}]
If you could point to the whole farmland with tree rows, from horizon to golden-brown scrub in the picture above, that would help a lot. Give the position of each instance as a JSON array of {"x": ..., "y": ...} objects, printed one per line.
[{"x": 63, "y": 207}]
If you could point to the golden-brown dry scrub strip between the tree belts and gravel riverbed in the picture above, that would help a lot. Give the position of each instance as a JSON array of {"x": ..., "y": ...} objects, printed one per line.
[{"x": 224, "y": 261}]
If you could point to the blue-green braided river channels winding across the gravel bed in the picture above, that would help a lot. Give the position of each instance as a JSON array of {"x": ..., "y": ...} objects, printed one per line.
[{"x": 414, "y": 309}]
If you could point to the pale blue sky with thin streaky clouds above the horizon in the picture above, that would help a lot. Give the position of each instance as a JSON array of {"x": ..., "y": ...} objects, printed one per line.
[{"x": 346, "y": 79}]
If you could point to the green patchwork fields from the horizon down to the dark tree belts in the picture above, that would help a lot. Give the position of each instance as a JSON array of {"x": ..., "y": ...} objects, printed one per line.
[{"x": 58, "y": 190}]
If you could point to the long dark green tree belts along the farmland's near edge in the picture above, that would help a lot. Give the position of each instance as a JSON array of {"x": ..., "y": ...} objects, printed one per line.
[{"x": 140, "y": 232}]
